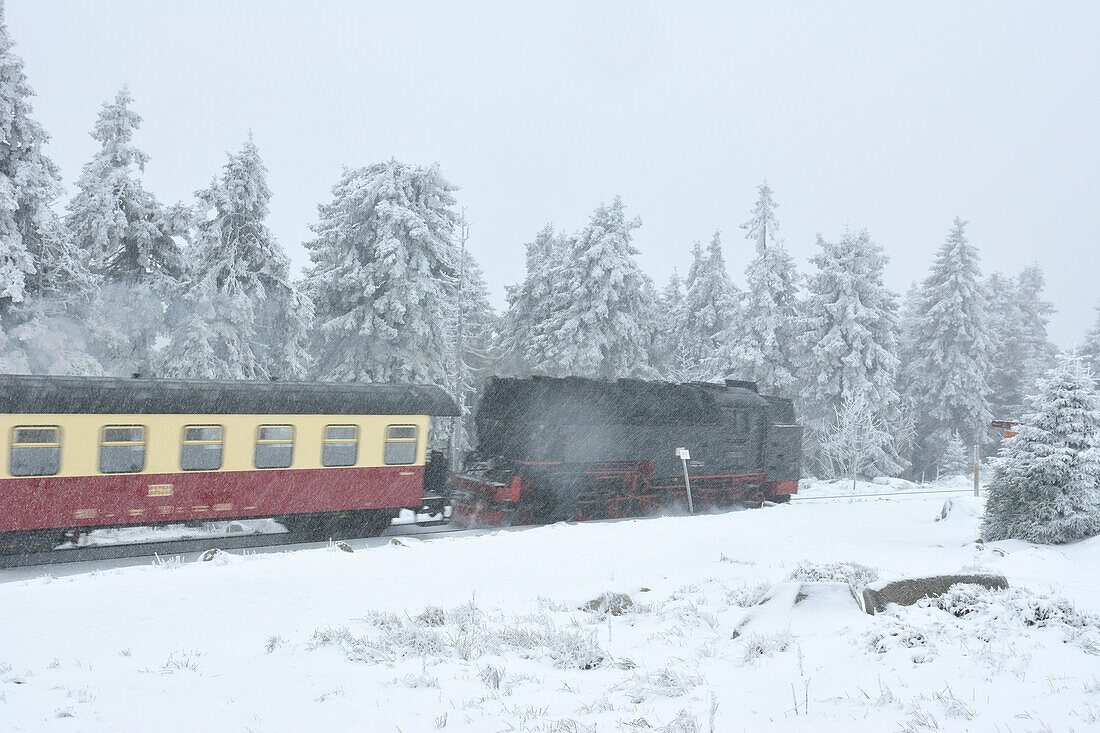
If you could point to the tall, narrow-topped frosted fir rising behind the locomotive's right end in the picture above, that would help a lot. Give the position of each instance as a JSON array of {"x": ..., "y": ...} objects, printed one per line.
[{"x": 771, "y": 320}]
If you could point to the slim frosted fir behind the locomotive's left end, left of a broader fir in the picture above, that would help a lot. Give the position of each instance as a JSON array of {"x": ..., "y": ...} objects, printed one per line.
[{"x": 526, "y": 340}]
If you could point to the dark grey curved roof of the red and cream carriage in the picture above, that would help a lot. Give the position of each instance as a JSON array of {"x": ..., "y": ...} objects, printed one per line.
[{"x": 136, "y": 397}]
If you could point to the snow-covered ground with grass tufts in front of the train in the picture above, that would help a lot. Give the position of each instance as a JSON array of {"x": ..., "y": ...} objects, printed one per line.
[{"x": 486, "y": 633}]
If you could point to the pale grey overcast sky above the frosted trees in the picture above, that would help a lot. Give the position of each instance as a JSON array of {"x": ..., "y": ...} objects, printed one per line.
[{"x": 888, "y": 116}]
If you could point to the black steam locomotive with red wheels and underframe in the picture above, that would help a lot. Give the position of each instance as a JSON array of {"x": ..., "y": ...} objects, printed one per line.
[{"x": 556, "y": 450}]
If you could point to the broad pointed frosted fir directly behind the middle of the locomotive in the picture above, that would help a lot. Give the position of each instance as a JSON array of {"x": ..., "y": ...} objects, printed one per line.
[{"x": 603, "y": 314}]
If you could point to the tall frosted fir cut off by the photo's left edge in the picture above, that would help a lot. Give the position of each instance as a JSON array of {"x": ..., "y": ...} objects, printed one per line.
[{"x": 29, "y": 180}]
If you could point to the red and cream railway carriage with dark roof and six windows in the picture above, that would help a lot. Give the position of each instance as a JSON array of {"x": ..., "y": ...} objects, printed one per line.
[{"x": 91, "y": 453}]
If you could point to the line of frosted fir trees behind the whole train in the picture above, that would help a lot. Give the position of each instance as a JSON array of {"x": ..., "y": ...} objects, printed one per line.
[{"x": 119, "y": 283}]
